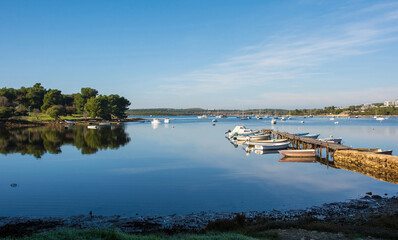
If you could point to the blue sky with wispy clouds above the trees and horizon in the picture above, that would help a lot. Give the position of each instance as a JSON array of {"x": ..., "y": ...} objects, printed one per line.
[{"x": 209, "y": 54}]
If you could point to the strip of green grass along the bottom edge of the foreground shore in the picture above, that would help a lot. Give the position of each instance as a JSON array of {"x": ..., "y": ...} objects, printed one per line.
[{"x": 97, "y": 234}]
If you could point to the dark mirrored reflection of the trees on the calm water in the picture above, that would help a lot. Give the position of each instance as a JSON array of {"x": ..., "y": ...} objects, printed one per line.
[{"x": 38, "y": 141}]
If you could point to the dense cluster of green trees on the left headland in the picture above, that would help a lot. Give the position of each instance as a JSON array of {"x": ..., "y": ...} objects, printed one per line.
[{"x": 37, "y": 99}]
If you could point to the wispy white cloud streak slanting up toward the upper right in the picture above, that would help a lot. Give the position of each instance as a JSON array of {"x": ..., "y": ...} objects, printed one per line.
[{"x": 291, "y": 58}]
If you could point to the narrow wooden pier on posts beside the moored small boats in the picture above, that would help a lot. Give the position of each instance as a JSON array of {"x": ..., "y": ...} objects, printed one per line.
[{"x": 299, "y": 142}]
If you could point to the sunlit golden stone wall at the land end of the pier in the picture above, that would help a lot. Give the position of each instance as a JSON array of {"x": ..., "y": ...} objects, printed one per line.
[{"x": 379, "y": 166}]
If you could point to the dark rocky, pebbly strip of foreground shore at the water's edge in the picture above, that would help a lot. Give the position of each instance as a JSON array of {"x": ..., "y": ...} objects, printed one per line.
[{"x": 355, "y": 211}]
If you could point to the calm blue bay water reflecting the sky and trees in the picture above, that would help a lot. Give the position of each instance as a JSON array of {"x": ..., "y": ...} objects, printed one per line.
[{"x": 190, "y": 167}]
